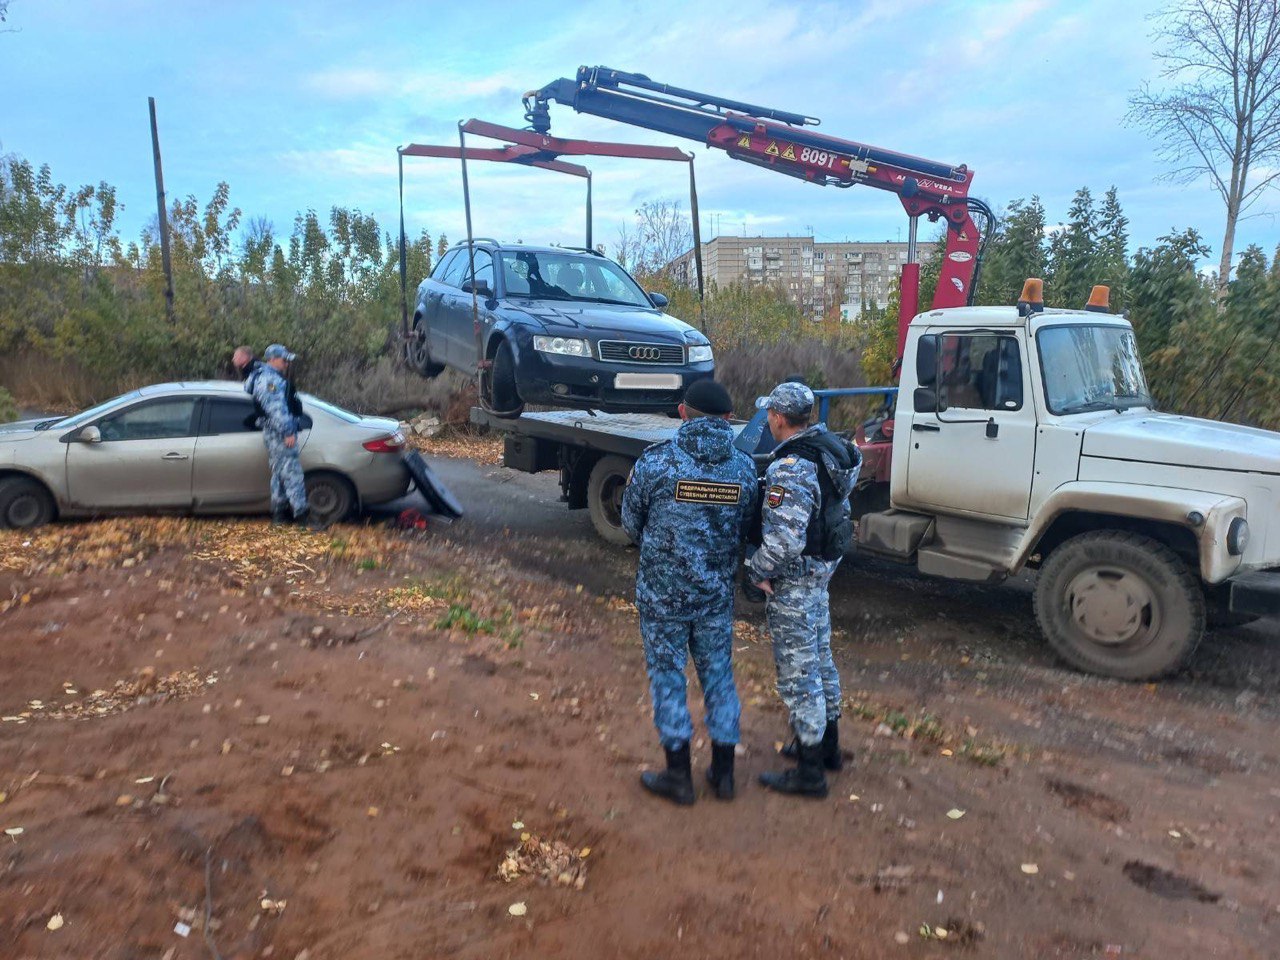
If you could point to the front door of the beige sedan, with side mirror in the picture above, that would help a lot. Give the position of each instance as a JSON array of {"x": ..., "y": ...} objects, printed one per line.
[{"x": 144, "y": 458}]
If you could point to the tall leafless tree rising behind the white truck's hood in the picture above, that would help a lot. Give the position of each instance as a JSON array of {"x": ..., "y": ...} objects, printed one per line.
[{"x": 1219, "y": 115}]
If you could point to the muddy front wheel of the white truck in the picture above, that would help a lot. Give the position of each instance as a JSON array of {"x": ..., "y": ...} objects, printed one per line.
[{"x": 1121, "y": 605}]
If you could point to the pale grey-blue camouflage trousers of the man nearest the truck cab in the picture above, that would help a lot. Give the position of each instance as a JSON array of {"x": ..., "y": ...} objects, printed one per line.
[{"x": 799, "y": 615}]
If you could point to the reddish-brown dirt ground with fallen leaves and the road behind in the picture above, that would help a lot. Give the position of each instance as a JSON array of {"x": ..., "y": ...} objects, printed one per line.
[{"x": 223, "y": 740}]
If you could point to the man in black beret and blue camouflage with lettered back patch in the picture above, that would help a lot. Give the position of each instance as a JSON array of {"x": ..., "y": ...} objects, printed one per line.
[{"x": 688, "y": 505}]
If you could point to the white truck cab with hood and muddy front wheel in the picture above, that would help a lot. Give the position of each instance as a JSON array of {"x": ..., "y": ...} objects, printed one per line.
[{"x": 1027, "y": 438}]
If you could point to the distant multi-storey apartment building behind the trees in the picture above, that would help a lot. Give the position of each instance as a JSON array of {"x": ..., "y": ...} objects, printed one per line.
[{"x": 819, "y": 277}]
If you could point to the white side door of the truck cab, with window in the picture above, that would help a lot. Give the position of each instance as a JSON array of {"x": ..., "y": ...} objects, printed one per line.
[{"x": 976, "y": 454}]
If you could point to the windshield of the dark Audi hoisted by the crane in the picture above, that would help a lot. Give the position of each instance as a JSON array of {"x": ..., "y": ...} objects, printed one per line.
[{"x": 575, "y": 277}]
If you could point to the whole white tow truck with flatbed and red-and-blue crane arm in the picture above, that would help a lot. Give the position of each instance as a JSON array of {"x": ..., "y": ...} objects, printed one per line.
[{"x": 1027, "y": 440}]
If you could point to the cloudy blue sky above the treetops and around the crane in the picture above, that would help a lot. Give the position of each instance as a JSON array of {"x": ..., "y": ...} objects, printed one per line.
[{"x": 301, "y": 106}]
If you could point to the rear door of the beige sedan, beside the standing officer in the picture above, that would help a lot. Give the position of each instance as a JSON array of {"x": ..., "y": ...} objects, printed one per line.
[{"x": 232, "y": 472}]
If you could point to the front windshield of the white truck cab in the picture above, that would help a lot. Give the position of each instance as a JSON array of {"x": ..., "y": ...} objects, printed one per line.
[{"x": 1091, "y": 368}]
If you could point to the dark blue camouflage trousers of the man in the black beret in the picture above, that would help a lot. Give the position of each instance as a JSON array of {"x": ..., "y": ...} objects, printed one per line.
[{"x": 668, "y": 644}]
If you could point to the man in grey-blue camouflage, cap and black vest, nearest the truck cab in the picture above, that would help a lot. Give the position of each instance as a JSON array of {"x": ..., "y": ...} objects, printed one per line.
[{"x": 796, "y": 580}]
